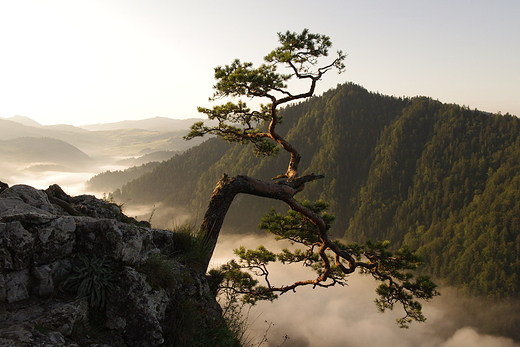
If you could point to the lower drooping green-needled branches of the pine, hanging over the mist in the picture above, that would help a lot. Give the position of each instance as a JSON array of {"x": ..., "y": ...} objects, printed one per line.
[{"x": 396, "y": 270}]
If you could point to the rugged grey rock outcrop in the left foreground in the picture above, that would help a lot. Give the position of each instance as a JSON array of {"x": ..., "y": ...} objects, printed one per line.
[{"x": 75, "y": 271}]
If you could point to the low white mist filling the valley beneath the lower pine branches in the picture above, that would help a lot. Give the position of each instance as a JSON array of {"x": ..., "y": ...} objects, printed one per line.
[{"x": 347, "y": 316}]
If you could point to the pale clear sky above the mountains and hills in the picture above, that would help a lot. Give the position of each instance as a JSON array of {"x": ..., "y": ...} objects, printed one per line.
[{"x": 98, "y": 61}]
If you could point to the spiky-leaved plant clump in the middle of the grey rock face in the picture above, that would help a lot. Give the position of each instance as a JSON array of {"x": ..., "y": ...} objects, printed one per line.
[{"x": 91, "y": 279}]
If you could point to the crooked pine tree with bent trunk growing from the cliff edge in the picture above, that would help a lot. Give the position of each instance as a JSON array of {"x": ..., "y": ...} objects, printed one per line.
[{"x": 305, "y": 223}]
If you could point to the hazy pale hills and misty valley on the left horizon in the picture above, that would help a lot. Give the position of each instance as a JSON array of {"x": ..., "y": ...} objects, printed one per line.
[{"x": 37, "y": 150}]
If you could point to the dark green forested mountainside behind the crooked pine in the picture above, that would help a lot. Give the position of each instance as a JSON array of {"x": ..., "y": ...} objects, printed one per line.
[{"x": 438, "y": 177}]
